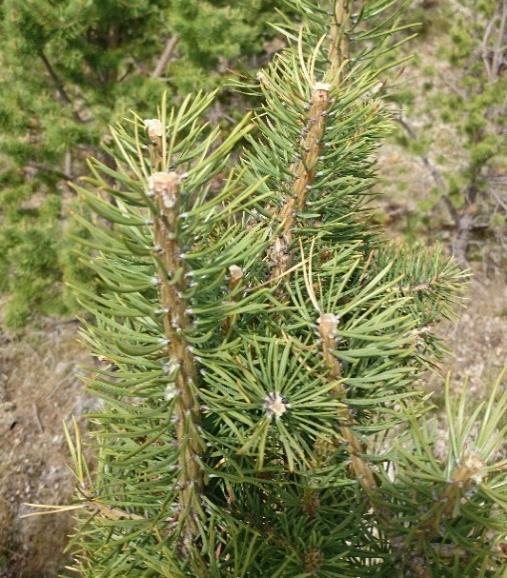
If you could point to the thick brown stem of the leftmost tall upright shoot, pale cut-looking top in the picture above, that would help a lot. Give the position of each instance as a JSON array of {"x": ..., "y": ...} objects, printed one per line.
[{"x": 166, "y": 187}]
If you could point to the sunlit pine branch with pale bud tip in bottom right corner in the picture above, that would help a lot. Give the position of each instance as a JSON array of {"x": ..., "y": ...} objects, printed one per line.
[{"x": 468, "y": 487}]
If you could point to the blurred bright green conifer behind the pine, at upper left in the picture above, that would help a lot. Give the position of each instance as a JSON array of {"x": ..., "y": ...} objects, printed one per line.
[{"x": 69, "y": 70}]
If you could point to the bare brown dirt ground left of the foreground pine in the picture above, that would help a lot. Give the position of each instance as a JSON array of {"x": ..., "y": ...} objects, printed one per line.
[{"x": 39, "y": 389}]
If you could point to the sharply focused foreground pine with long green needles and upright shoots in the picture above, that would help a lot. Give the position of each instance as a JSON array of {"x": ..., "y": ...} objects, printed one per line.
[{"x": 261, "y": 344}]
